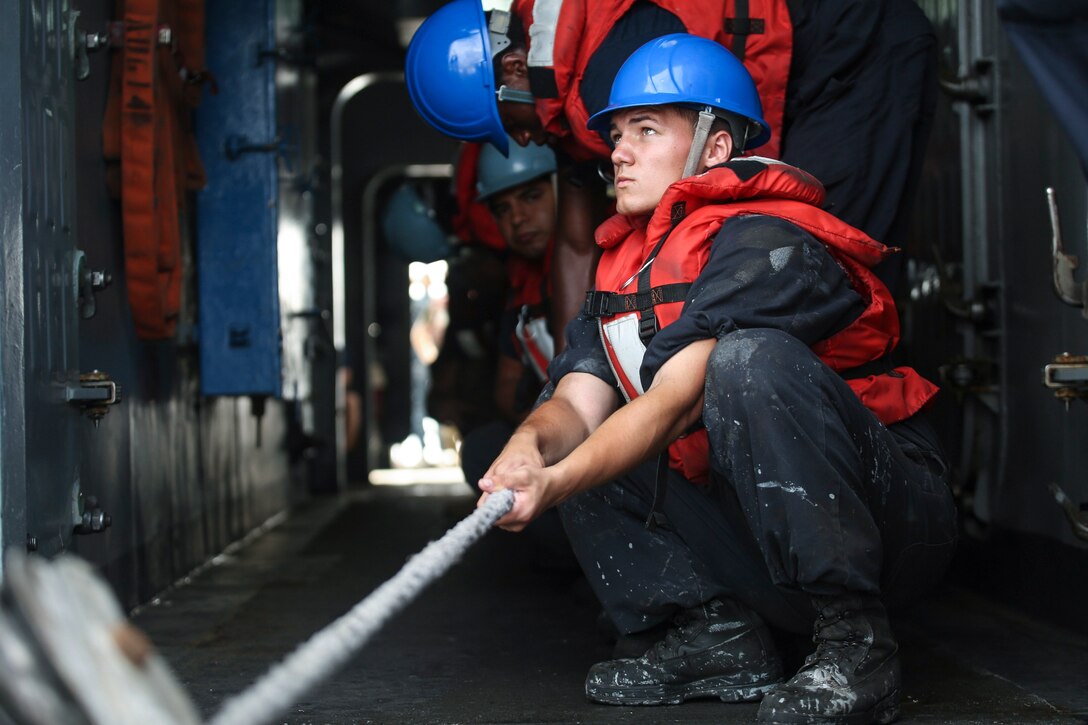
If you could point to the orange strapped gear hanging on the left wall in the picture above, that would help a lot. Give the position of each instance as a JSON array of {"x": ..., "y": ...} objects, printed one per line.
[{"x": 147, "y": 130}]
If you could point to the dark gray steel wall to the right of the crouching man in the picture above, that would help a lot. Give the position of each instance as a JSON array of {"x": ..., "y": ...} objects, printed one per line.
[{"x": 993, "y": 315}]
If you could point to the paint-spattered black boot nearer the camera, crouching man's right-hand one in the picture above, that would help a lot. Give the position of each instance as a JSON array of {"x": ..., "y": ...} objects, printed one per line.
[{"x": 854, "y": 675}]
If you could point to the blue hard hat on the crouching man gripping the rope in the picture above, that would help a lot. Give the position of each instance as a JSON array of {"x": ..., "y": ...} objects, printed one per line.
[{"x": 689, "y": 71}]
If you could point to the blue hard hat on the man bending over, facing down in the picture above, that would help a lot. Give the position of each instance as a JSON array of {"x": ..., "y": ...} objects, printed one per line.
[{"x": 450, "y": 75}]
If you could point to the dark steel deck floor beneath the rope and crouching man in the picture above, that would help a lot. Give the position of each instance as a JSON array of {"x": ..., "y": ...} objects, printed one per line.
[{"x": 500, "y": 640}]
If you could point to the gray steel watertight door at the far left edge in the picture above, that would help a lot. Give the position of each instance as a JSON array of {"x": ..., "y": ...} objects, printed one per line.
[{"x": 40, "y": 279}]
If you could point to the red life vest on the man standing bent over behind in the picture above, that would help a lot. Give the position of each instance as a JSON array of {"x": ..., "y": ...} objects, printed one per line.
[{"x": 563, "y": 36}]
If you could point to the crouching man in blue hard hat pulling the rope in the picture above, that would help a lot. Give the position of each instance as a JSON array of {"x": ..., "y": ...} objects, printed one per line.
[{"x": 730, "y": 448}]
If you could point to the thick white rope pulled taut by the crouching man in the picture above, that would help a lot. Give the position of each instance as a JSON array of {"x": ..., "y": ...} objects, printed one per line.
[{"x": 324, "y": 654}]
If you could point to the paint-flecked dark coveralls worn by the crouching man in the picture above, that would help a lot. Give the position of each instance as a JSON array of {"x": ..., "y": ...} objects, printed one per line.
[{"x": 809, "y": 493}]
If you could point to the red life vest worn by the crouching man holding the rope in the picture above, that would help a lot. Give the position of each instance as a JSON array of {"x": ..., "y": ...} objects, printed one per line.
[{"x": 667, "y": 254}]
